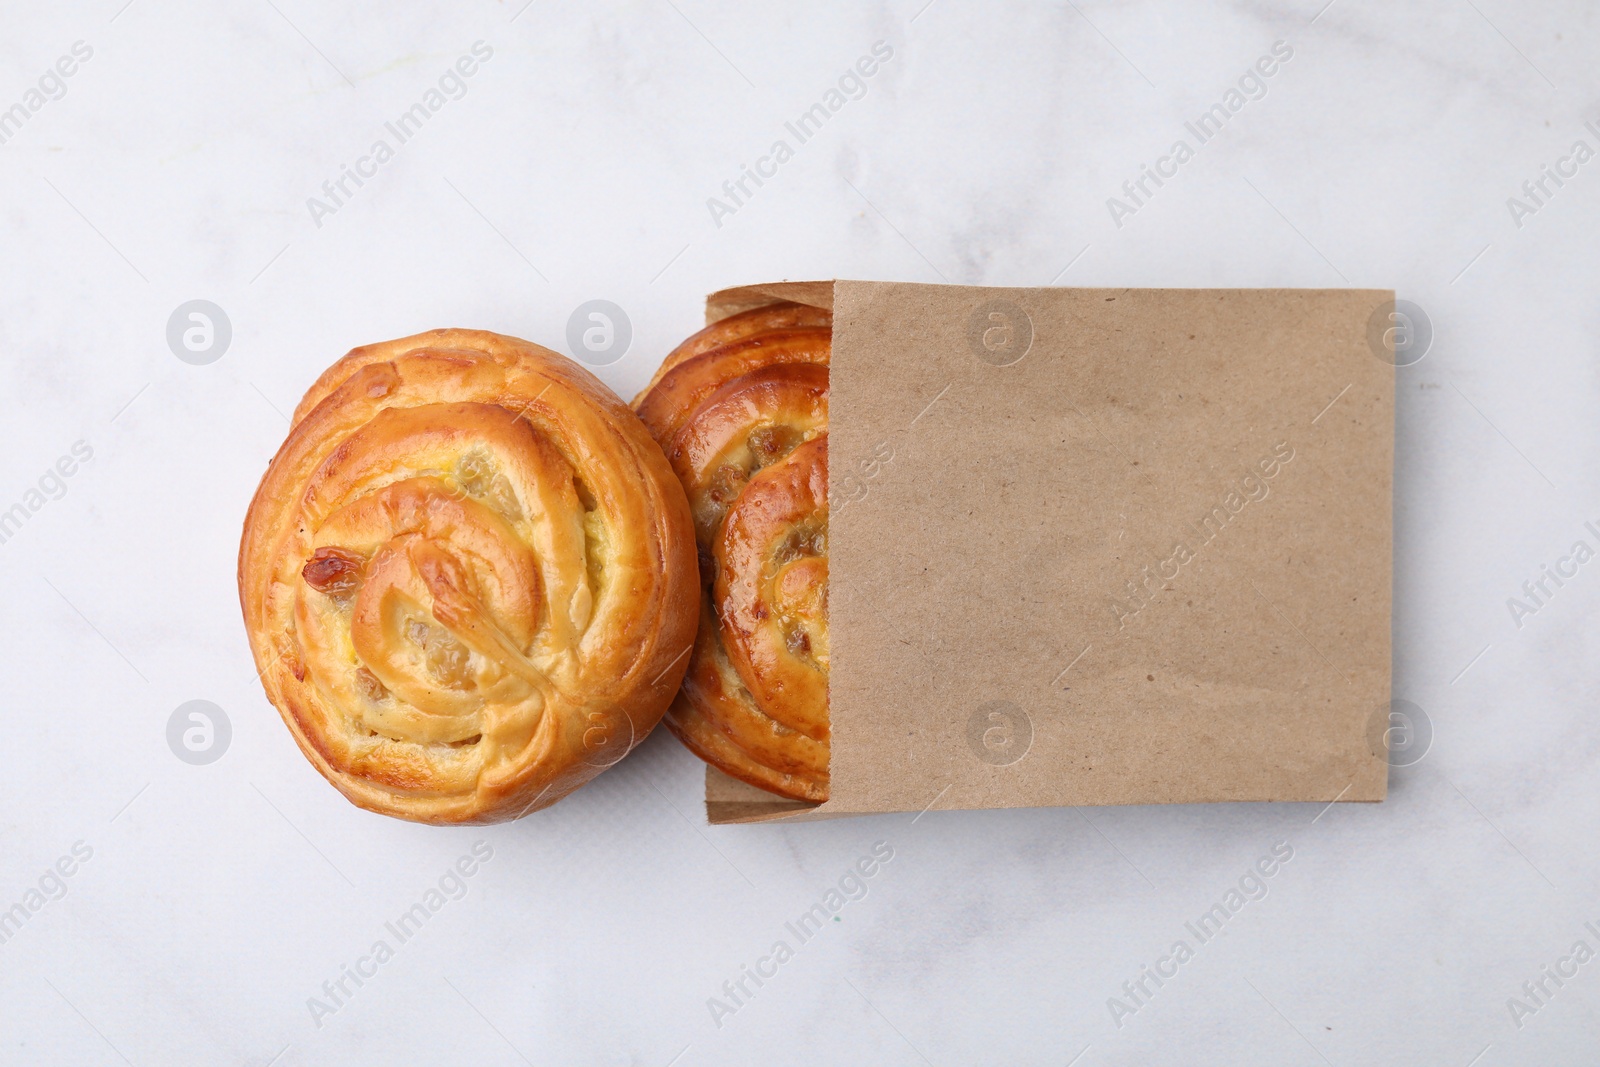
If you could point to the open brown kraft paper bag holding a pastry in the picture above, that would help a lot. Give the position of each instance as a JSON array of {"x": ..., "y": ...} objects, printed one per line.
[{"x": 1102, "y": 548}]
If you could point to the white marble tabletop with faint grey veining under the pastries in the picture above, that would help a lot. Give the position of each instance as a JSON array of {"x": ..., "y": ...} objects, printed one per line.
[{"x": 209, "y": 905}]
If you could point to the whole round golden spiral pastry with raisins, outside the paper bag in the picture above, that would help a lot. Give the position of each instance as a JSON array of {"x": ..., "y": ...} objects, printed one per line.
[{"x": 468, "y": 578}]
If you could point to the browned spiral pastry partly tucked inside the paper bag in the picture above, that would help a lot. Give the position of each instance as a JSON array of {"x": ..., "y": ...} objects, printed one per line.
[{"x": 742, "y": 412}]
